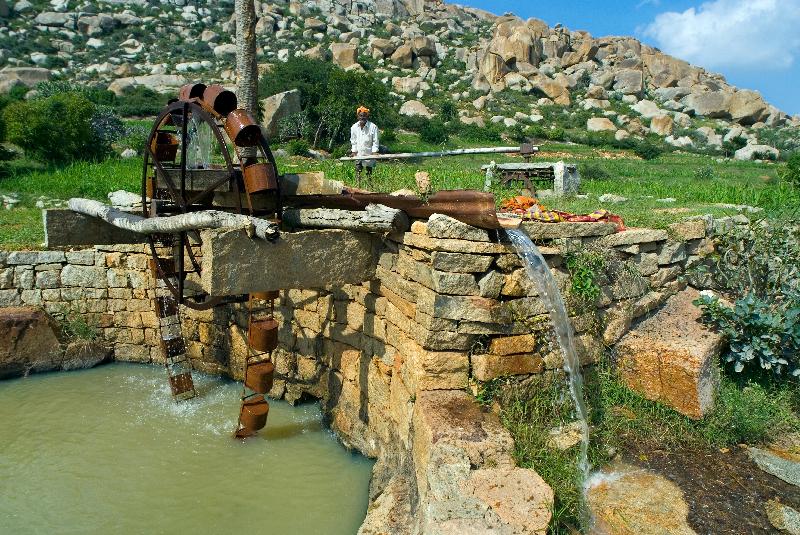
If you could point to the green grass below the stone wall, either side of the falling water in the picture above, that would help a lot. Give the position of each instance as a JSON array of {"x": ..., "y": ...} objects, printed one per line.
[{"x": 746, "y": 412}]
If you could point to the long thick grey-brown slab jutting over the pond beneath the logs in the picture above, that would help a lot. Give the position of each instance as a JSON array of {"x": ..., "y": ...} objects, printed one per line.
[{"x": 235, "y": 264}]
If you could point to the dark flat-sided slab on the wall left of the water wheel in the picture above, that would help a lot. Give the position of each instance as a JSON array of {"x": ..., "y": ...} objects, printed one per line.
[{"x": 63, "y": 228}]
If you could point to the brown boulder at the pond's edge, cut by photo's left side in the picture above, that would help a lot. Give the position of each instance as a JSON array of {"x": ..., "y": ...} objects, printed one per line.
[{"x": 28, "y": 342}]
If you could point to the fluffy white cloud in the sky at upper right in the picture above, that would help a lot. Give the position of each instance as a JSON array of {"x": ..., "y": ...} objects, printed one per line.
[{"x": 751, "y": 35}]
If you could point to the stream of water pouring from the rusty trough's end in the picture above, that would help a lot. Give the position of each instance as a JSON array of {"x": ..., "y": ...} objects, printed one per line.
[{"x": 539, "y": 274}]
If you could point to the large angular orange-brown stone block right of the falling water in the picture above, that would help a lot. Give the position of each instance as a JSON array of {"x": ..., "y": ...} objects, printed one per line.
[{"x": 672, "y": 357}]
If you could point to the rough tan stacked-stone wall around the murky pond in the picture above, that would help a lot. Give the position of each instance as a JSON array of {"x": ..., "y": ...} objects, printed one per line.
[{"x": 393, "y": 359}]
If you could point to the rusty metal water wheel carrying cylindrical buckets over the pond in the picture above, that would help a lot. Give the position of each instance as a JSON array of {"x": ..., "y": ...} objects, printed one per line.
[{"x": 240, "y": 177}]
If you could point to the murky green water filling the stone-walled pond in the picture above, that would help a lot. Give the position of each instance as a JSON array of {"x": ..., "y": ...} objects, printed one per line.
[{"x": 107, "y": 451}]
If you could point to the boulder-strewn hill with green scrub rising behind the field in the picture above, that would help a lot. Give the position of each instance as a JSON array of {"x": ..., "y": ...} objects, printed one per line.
[{"x": 499, "y": 69}]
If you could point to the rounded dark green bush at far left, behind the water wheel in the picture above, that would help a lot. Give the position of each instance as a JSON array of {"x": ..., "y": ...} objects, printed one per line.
[{"x": 56, "y": 129}]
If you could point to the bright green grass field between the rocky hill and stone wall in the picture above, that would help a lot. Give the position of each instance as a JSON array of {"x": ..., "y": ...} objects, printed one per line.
[{"x": 697, "y": 183}]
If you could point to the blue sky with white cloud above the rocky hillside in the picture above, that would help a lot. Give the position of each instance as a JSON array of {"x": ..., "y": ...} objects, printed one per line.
[{"x": 755, "y": 44}]
